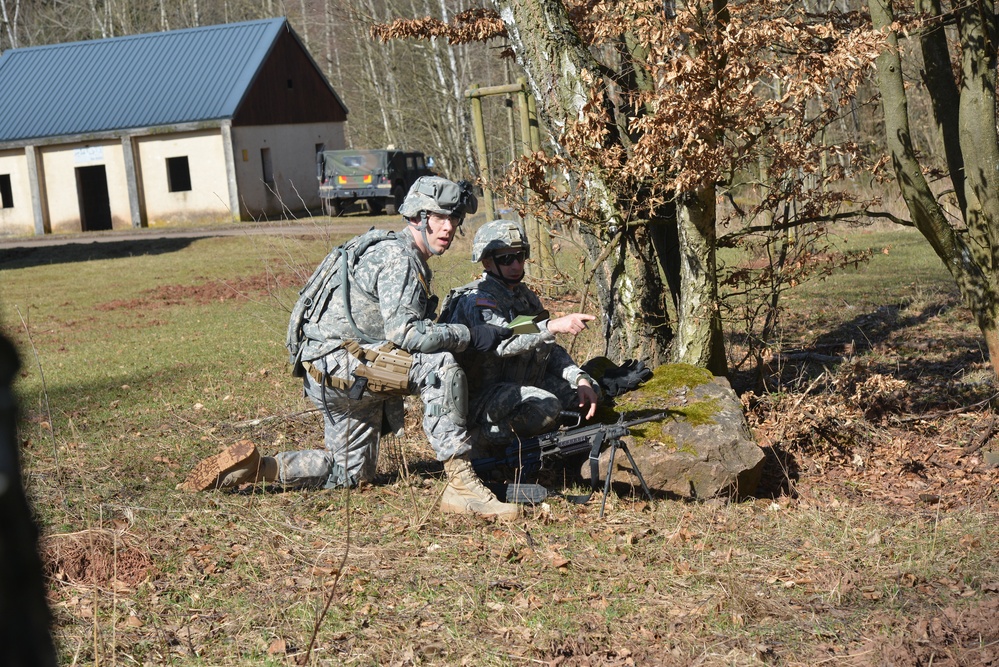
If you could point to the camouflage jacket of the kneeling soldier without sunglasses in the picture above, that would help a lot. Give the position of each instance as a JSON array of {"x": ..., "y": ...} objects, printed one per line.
[{"x": 389, "y": 300}]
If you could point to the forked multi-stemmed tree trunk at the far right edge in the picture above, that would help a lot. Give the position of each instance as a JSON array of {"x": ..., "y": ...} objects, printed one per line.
[{"x": 970, "y": 253}]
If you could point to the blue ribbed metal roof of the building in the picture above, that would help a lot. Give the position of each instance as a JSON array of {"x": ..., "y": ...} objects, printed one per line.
[{"x": 163, "y": 78}]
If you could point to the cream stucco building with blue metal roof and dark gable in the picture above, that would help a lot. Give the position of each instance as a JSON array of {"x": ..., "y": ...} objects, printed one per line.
[{"x": 212, "y": 123}]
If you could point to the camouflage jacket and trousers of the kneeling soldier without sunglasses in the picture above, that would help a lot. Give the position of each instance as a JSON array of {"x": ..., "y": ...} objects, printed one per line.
[{"x": 388, "y": 301}]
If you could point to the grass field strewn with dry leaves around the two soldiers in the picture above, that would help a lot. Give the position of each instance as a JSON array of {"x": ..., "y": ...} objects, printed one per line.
[{"x": 873, "y": 541}]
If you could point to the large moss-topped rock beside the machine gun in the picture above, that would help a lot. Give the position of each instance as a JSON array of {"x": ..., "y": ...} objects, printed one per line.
[{"x": 703, "y": 449}]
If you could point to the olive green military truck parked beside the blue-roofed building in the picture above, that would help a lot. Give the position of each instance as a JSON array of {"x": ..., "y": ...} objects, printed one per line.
[{"x": 380, "y": 177}]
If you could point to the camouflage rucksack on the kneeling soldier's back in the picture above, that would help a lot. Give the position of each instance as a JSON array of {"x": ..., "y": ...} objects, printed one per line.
[{"x": 315, "y": 295}]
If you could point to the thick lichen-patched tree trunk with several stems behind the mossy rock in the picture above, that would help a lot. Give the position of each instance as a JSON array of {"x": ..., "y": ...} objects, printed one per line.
[{"x": 561, "y": 73}]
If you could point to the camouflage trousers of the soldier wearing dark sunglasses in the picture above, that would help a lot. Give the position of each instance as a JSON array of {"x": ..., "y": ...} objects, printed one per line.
[{"x": 507, "y": 410}]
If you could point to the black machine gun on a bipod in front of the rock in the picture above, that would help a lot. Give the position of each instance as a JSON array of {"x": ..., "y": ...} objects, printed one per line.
[{"x": 530, "y": 455}]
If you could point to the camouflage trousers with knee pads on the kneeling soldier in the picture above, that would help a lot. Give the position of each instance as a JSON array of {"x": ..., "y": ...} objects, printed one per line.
[{"x": 353, "y": 428}]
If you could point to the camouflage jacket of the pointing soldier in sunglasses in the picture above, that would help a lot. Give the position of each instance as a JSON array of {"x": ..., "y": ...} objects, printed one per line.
[{"x": 523, "y": 359}]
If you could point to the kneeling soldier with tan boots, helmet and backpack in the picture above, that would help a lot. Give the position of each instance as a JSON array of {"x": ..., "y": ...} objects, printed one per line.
[{"x": 362, "y": 336}]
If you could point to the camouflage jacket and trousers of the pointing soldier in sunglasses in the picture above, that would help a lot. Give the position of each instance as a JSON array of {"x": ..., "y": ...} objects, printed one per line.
[{"x": 521, "y": 388}]
